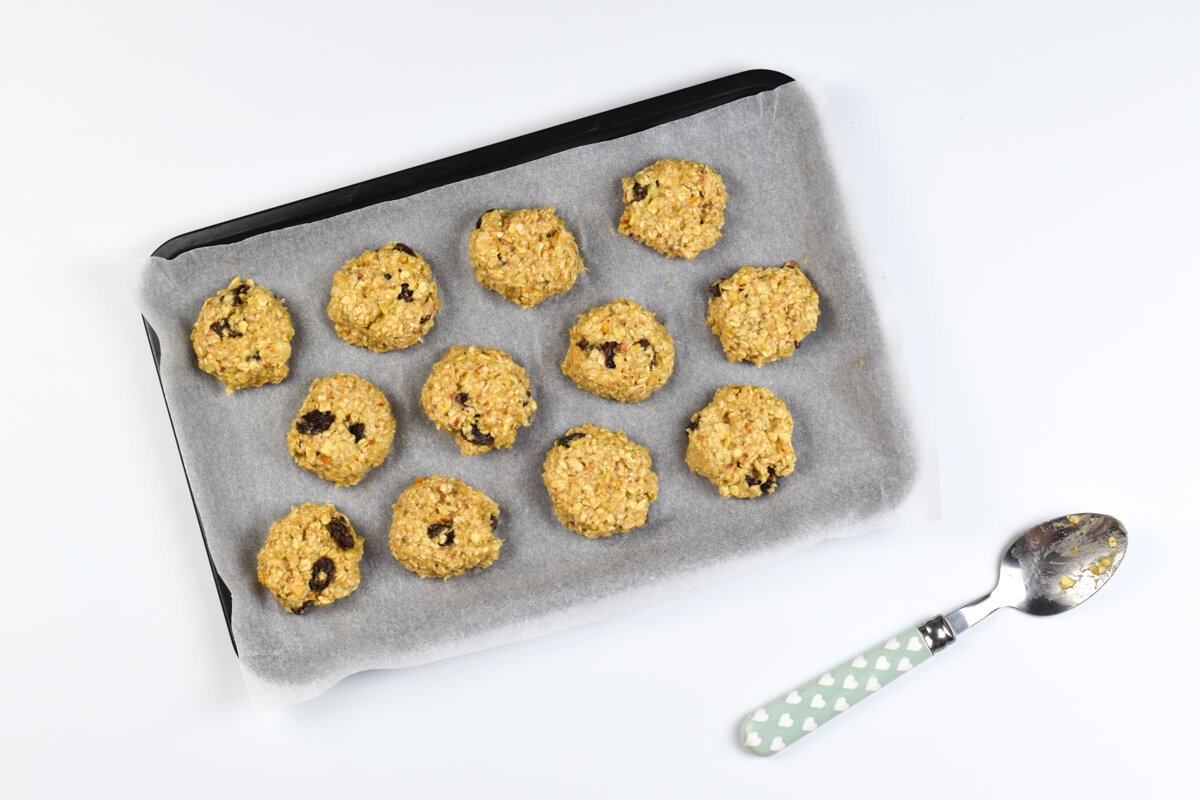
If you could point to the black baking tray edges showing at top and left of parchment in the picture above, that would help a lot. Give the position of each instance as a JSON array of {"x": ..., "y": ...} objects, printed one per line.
[{"x": 590, "y": 130}]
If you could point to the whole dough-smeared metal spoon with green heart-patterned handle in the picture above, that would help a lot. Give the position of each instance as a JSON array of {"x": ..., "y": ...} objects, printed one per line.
[{"x": 1047, "y": 570}]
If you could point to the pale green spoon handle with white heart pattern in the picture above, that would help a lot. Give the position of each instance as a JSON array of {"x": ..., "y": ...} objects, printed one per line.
[{"x": 801, "y": 712}]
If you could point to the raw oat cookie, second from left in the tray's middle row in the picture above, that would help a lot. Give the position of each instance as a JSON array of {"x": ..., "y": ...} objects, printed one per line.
[{"x": 479, "y": 396}]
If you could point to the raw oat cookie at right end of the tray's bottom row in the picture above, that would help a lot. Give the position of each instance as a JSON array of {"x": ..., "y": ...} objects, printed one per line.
[{"x": 742, "y": 442}]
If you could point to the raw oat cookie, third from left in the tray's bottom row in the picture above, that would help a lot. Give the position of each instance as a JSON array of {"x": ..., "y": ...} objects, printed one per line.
[{"x": 601, "y": 483}]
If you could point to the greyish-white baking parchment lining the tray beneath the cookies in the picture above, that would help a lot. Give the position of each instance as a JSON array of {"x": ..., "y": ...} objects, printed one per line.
[{"x": 861, "y": 461}]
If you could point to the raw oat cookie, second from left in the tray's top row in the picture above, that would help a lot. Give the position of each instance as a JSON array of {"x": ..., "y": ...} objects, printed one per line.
[{"x": 385, "y": 299}]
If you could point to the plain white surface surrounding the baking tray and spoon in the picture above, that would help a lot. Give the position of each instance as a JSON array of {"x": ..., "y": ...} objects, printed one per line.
[{"x": 1024, "y": 177}]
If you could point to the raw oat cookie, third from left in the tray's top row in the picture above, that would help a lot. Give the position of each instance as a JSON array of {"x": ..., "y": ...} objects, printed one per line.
[{"x": 526, "y": 256}]
